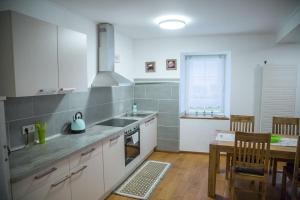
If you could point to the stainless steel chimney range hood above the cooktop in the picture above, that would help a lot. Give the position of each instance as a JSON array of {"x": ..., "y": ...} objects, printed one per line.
[{"x": 106, "y": 55}]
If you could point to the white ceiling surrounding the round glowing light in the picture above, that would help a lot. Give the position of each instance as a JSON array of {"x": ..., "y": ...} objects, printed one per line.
[{"x": 135, "y": 17}]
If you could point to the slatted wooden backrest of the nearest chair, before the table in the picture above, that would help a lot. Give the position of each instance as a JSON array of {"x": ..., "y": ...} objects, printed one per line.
[{"x": 252, "y": 150}]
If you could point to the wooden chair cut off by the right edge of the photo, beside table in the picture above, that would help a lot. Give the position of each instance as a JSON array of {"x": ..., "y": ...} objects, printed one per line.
[{"x": 293, "y": 173}]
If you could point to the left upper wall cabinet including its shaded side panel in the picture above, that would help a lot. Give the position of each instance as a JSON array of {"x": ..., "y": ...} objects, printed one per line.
[{"x": 28, "y": 55}]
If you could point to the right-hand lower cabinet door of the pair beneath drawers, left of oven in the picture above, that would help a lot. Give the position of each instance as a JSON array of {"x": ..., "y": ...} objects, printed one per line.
[{"x": 87, "y": 180}]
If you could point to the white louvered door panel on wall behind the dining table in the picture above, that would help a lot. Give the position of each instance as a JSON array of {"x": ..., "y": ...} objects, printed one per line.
[{"x": 279, "y": 87}]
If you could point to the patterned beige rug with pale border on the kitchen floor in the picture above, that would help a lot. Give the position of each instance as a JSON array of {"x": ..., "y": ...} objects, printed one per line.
[{"x": 143, "y": 181}]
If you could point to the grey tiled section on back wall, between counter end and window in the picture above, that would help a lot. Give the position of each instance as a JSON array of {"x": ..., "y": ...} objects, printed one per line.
[{"x": 164, "y": 98}]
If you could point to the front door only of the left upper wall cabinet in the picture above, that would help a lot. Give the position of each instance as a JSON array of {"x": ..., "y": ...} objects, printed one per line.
[{"x": 35, "y": 55}]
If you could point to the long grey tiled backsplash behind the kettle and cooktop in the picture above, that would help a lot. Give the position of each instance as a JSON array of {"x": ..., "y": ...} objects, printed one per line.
[{"x": 57, "y": 110}]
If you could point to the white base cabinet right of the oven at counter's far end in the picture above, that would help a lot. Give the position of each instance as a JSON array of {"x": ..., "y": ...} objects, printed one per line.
[{"x": 148, "y": 136}]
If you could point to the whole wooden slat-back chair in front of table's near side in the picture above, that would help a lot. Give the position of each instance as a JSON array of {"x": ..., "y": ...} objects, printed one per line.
[{"x": 251, "y": 160}]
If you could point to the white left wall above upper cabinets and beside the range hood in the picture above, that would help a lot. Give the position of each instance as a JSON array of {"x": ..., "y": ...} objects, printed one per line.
[{"x": 53, "y": 13}]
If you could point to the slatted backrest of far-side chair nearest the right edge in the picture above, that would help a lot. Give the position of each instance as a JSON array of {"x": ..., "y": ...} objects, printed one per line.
[{"x": 285, "y": 126}]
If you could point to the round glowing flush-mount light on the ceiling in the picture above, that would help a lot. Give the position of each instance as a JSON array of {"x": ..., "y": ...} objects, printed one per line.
[{"x": 171, "y": 22}]
